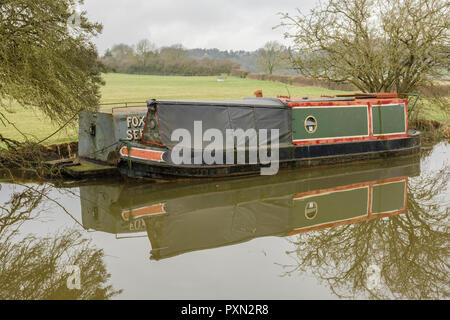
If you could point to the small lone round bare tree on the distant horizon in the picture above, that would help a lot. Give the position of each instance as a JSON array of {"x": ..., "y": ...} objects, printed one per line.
[{"x": 271, "y": 57}]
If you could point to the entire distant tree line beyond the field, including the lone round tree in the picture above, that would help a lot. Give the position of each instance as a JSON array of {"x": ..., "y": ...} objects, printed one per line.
[{"x": 146, "y": 58}]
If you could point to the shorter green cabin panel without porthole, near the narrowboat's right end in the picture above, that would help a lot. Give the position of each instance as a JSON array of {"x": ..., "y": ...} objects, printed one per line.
[{"x": 388, "y": 119}]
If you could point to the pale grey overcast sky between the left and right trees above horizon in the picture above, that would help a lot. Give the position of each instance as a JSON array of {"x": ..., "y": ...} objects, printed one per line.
[{"x": 223, "y": 24}]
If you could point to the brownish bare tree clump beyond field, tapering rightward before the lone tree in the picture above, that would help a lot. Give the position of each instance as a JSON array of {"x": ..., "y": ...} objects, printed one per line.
[{"x": 146, "y": 58}]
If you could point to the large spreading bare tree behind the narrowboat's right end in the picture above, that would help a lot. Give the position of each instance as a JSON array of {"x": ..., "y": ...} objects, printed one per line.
[{"x": 376, "y": 45}]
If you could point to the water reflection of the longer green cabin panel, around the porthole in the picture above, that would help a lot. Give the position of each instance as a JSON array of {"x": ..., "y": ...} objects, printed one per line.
[{"x": 336, "y": 206}]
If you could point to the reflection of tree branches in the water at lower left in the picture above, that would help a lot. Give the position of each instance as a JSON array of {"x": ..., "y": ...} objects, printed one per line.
[{"x": 34, "y": 267}]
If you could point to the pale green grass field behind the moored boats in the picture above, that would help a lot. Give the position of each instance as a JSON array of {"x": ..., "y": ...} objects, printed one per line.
[{"x": 134, "y": 88}]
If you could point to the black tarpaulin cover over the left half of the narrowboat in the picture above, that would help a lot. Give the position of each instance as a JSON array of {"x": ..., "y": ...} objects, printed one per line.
[{"x": 250, "y": 113}]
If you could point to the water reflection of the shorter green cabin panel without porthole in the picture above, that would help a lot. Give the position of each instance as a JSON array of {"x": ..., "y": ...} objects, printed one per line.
[{"x": 388, "y": 197}]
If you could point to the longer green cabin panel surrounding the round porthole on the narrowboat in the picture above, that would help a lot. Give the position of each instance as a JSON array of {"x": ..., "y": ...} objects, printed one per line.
[{"x": 332, "y": 122}]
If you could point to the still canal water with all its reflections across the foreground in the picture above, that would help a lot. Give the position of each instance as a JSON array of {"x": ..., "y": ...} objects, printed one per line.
[{"x": 376, "y": 229}]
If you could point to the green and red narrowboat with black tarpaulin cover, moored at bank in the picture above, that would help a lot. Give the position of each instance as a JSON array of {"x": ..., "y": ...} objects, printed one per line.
[{"x": 199, "y": 139}]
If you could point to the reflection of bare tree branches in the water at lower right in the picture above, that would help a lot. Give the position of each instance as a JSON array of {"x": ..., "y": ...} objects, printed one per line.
[{"x": 411, "y": 251}]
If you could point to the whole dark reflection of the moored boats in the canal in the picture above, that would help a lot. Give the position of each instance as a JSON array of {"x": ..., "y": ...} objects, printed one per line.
[{"x": 187, "y": 216}]
